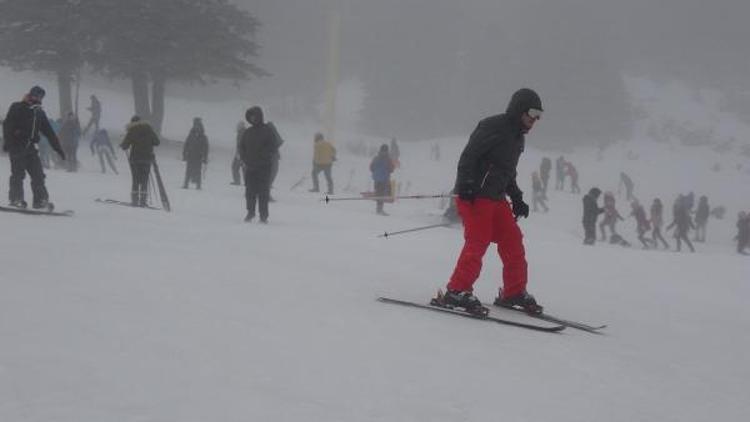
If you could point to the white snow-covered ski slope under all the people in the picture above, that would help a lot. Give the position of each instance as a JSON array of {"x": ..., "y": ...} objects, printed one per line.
[{"x": 121, "y": 314}]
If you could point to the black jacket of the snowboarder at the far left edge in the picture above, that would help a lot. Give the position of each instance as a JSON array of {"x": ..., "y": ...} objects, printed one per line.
[{"x": 22, "y": 126}]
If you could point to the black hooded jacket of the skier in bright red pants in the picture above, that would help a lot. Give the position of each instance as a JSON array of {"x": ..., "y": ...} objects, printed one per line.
[{"x": 488, "y": 162}]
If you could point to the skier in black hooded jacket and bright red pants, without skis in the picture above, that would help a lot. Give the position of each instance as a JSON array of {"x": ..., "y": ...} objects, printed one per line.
[{"x": 486, "y": 176}]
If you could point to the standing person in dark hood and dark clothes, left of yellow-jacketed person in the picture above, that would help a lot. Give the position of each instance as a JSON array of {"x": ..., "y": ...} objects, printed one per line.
[{"x": 258, "y": 149}]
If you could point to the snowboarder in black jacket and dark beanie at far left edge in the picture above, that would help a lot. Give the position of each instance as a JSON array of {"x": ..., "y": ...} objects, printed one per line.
[{"x": 21, "y": 130}]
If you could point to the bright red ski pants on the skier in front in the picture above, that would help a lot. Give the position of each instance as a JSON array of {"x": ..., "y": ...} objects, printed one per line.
[{"x": 487, "y": 221}]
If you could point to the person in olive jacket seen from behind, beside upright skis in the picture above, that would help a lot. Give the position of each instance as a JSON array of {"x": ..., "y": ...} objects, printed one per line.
[{"x": 140, "y": 139}]
